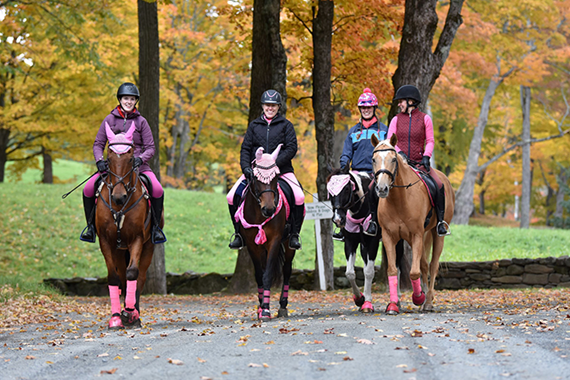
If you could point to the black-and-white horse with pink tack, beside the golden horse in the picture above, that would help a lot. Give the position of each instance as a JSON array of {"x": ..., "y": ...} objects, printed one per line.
[{"x": 350, "y": 198}]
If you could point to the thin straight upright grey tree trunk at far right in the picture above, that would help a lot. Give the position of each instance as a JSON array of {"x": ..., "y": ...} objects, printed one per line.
[{"x": 526, "y": 174}]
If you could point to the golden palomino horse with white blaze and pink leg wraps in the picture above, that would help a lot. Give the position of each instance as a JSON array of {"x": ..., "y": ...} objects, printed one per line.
[{"x": 405, "y": 212}]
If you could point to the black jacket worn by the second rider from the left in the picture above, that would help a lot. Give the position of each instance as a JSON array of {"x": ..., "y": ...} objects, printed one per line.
[{"x": 260, "y": 134}]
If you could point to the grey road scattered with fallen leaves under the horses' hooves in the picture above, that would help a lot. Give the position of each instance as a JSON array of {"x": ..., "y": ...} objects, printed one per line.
[{"x": 219, "y": 338}]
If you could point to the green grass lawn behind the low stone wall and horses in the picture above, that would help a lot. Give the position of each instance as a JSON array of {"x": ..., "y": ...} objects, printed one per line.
[{"x": 39, "y": 235}]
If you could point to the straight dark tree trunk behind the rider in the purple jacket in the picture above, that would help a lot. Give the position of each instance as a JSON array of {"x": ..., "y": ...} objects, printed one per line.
[{"x": 149, "y": 85}]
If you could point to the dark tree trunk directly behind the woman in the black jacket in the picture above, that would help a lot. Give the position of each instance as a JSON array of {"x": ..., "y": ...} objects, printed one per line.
[{"x": 268, "y": 71}]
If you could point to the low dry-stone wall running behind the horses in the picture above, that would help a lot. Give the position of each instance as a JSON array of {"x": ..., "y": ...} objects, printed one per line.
[{"x": 514, "y": 273}]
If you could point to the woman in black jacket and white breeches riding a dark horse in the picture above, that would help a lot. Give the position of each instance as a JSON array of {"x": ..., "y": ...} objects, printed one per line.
[{"x": 268, "y": 131}]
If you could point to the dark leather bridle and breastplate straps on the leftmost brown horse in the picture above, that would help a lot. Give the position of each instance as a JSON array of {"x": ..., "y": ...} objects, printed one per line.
[{"x": 119, "y": 216}]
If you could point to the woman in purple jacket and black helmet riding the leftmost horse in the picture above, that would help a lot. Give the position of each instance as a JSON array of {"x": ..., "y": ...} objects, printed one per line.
[{"x": 120, "y": 119}]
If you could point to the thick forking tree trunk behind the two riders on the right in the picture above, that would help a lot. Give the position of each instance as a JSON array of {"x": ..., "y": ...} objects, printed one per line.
[{"x": 417, "y": 64}]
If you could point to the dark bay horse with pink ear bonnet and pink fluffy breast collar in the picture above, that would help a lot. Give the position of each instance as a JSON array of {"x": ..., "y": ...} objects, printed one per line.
[{"x": 263, "y": 216}]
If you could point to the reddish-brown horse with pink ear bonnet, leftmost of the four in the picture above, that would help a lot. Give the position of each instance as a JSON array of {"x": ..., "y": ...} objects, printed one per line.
[{"x": 124, "y": 228}]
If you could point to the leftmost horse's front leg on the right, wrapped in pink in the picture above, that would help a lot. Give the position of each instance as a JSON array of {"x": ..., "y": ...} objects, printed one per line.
[{"x": 130, "y": 315}]
